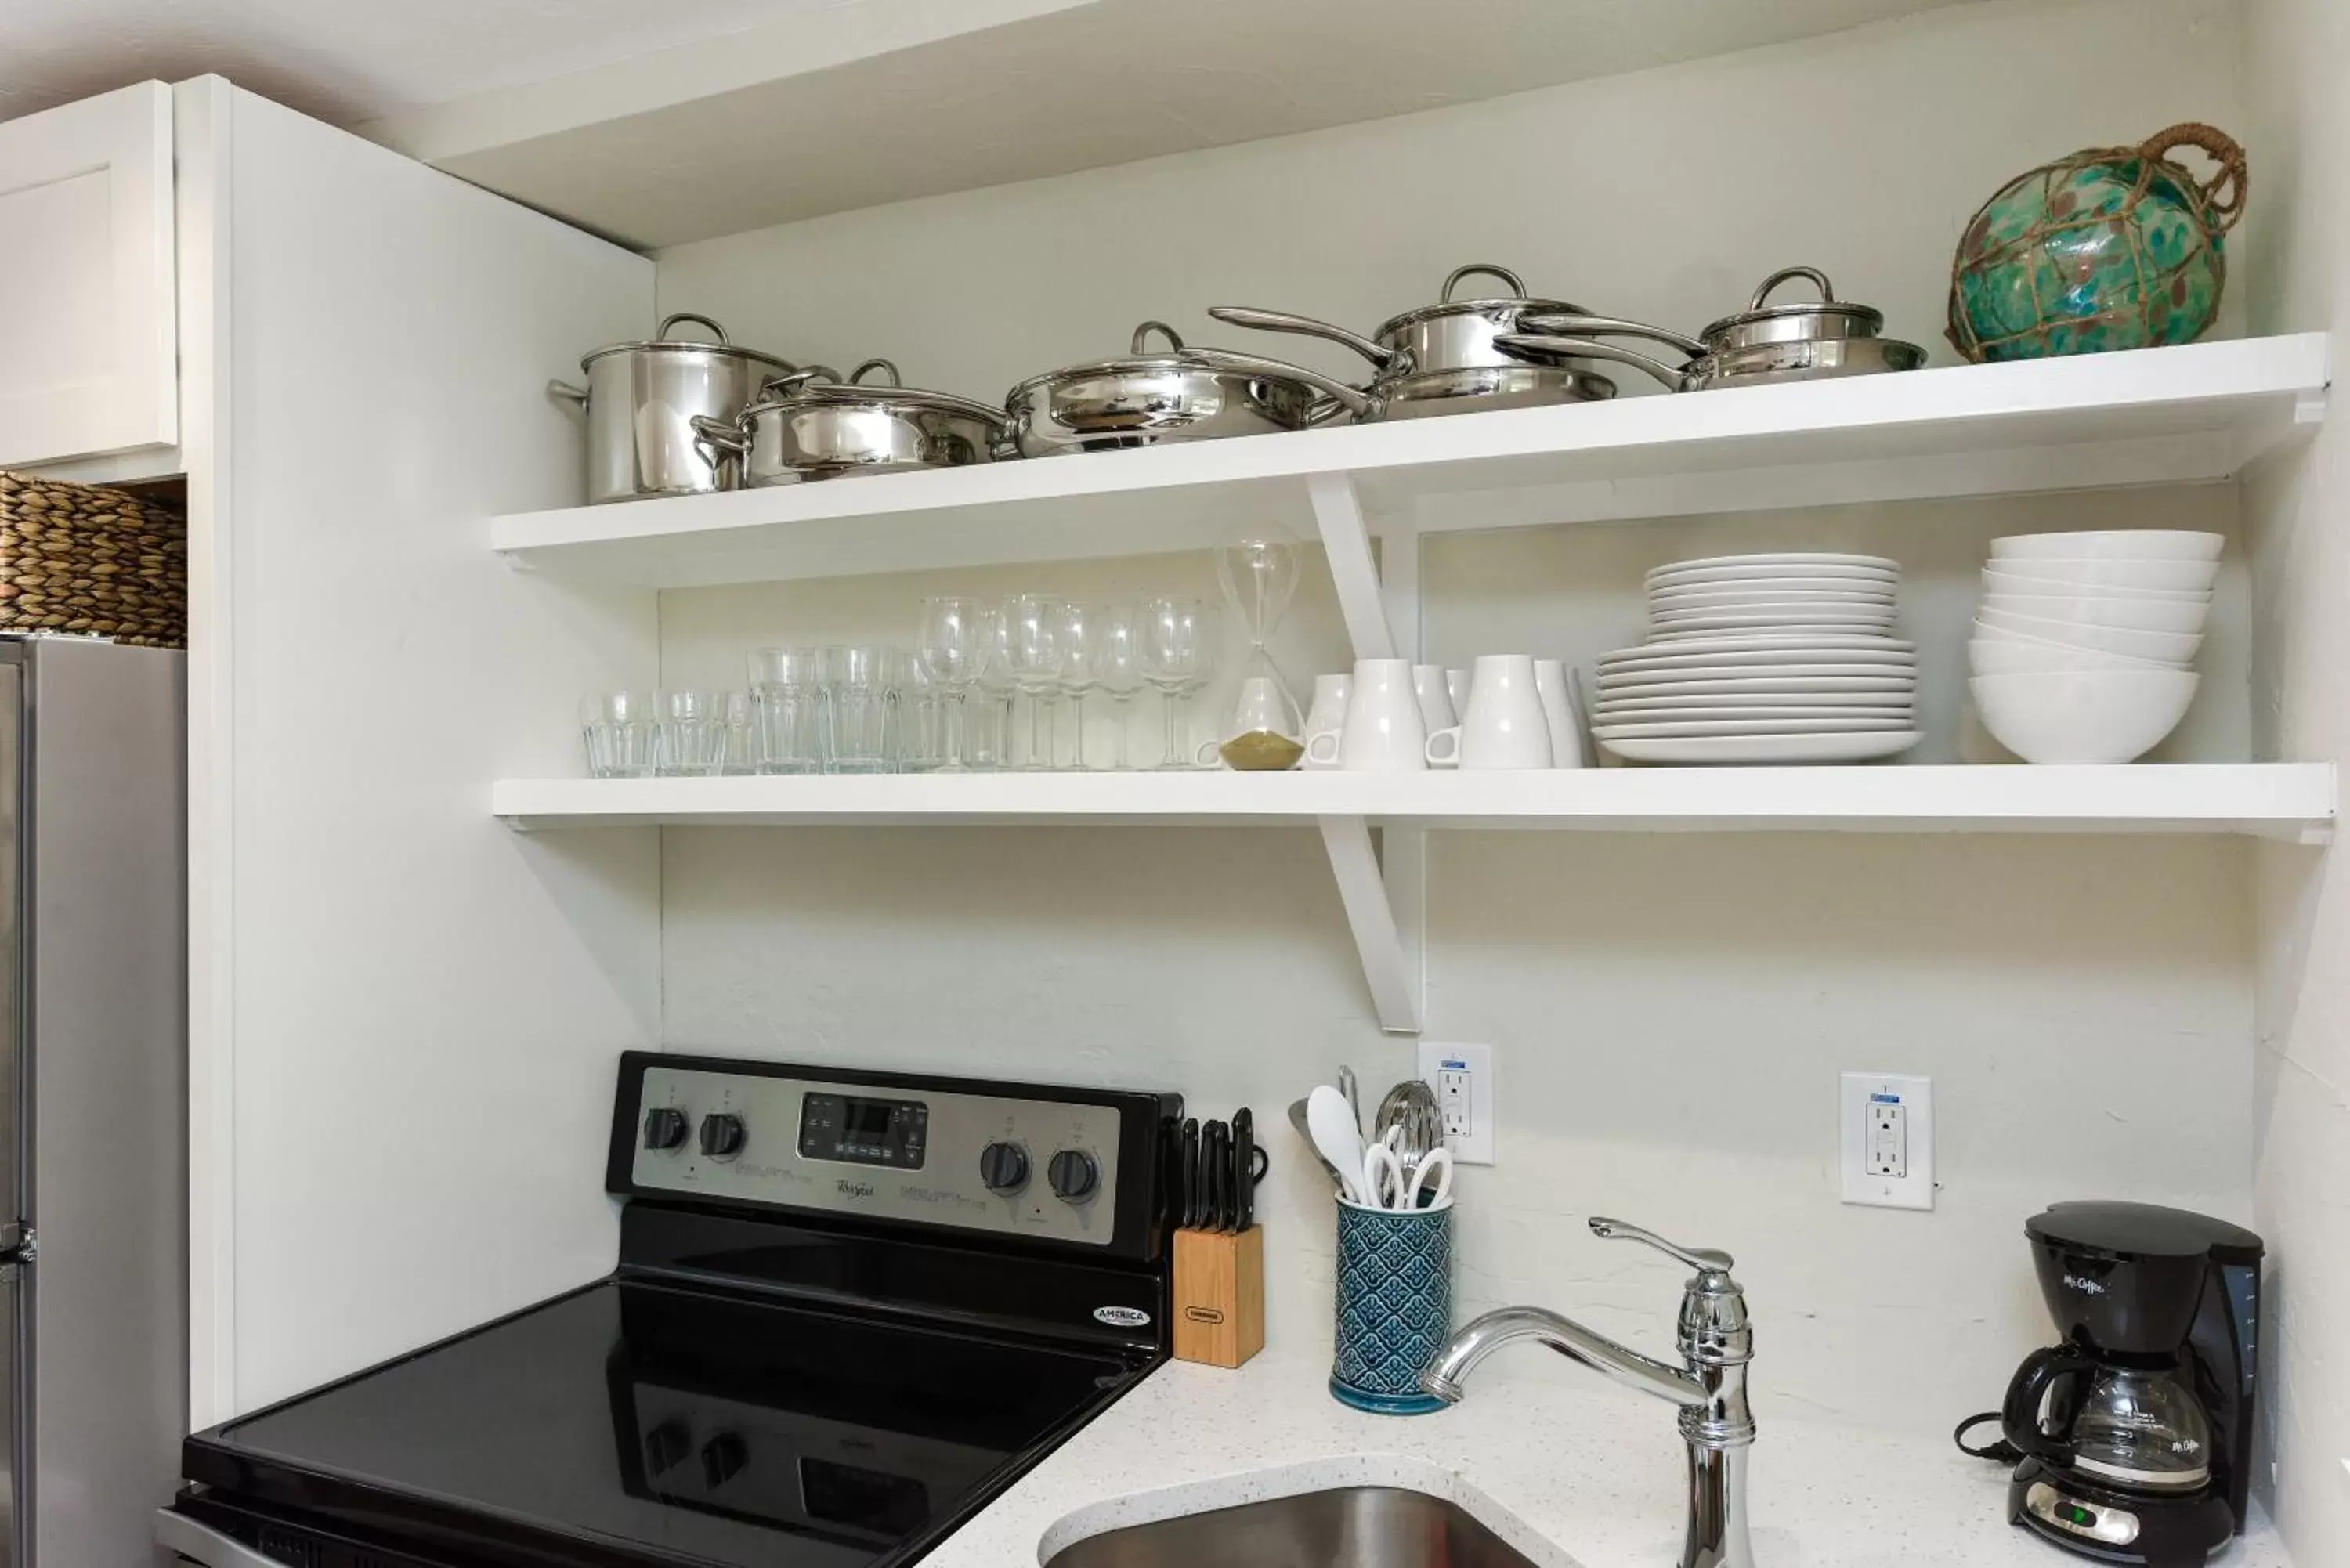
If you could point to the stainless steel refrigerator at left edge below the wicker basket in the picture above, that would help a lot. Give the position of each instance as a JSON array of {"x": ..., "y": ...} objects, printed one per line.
[{"x": 93, "y": 1014}]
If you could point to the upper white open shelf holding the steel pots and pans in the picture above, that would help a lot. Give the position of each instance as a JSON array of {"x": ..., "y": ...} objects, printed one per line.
[{"x": 2149, "y": 417}]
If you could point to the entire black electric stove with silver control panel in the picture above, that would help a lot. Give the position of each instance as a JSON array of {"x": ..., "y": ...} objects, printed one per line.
[{"x": 850, "y": 1311}]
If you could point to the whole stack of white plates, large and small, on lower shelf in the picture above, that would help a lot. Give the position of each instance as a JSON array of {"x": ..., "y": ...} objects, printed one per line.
[{"x": 1764, "y": 659}]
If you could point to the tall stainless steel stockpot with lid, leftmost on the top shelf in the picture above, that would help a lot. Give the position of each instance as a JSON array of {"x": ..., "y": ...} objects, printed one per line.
[{"x": 643, "y": 401}]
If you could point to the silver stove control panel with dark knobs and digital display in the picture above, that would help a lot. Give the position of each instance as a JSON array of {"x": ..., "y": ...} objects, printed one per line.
[{"x": 983, "y": 1162}]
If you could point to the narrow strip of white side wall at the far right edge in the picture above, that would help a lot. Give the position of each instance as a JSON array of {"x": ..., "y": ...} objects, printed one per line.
[{"x": 2297, "y": 514}]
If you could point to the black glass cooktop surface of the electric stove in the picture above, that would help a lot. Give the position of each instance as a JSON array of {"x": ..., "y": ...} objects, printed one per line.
[{"x": 673, "y": 1426}]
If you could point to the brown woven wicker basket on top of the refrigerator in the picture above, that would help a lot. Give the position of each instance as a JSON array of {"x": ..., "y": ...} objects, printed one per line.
[{"x": 93, "y": 563}]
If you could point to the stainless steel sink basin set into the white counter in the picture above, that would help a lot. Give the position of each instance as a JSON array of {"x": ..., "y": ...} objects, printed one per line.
[{"x": 1350, "y": 1527}]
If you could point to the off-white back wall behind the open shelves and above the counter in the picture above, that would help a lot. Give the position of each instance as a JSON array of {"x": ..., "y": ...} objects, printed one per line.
[{"x": 1672, "y": 1012}]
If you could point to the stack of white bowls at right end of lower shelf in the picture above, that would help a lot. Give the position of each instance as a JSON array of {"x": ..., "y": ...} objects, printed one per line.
[{"x": 2086, "y": 643}]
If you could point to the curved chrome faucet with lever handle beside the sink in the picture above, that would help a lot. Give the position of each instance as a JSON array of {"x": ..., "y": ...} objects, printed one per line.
[{"x": 1710, "y": 1388}]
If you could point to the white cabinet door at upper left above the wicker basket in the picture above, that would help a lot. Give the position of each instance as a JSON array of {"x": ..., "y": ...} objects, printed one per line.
[{"x": 86, "y": 279}]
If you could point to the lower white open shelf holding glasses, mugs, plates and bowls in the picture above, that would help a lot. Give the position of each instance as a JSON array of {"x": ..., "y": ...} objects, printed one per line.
[{"x": 2288, "y": 800}]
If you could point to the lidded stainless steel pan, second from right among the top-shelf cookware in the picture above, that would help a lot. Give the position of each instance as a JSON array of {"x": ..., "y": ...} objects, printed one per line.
[{"x": 1446, "y": 359}]
